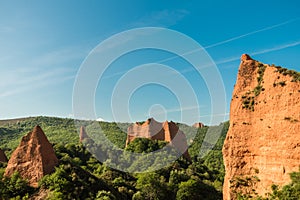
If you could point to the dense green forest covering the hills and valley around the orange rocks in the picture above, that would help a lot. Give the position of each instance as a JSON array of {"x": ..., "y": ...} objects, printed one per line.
[{"x": 80, "y": 175}]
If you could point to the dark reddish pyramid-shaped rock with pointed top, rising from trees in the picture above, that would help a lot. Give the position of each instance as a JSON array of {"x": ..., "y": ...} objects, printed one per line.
[{"x": 33, "y": 158}]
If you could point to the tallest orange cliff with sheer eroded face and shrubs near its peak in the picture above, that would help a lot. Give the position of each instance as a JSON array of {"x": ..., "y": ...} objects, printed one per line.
[{"x": 263, "y": 141}]
